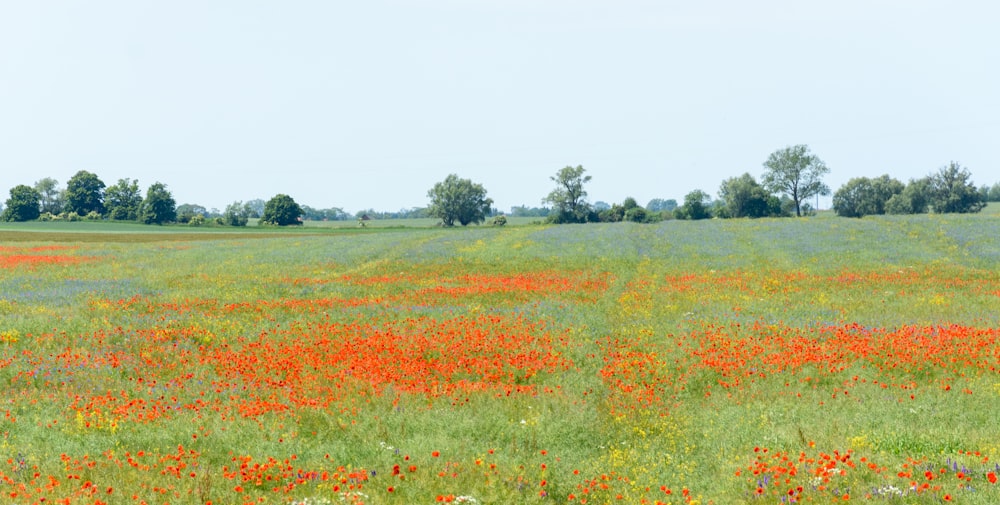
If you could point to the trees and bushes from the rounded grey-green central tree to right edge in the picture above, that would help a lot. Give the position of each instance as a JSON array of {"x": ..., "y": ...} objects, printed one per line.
[{"x": 791, "y": 177}]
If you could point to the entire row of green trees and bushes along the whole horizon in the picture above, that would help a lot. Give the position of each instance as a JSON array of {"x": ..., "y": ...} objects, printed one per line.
[{"x": 791, "y": 177}]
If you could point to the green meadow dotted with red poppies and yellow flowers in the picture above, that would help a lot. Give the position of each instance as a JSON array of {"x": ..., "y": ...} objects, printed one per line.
[{"x": 723, "y": 361}]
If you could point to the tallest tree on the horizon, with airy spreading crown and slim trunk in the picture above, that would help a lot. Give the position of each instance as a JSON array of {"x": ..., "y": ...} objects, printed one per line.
[{"x": 793, "y": 171}]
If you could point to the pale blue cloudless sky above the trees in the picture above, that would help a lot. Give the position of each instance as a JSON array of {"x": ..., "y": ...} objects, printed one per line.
[{"x": 362, "y": 105}]
